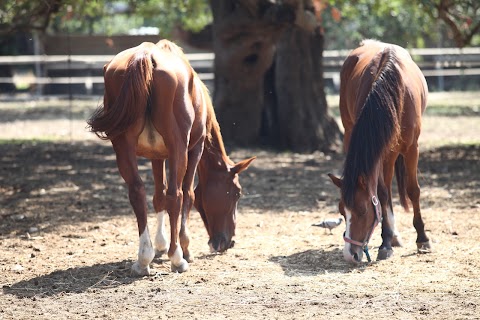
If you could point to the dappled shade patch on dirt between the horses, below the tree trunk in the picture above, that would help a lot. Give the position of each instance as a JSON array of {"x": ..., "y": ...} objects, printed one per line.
[{"x": 290, "y": 181}]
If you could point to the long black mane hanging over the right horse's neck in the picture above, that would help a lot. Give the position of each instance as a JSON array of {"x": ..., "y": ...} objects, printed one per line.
[{"x": 378, "y": 126}]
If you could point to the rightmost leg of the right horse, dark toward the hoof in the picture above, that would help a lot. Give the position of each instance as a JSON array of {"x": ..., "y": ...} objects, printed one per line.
[{"x": 413, "y": 191}]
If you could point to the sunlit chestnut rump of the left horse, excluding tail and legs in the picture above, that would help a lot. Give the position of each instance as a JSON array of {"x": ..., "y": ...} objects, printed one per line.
[{"x": 172, "y": 104}]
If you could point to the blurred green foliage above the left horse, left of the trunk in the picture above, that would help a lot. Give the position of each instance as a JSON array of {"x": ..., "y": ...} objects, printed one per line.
[{"x": 102, "y": 16}]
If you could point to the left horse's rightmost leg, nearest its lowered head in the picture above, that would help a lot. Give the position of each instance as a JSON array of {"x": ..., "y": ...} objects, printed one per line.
[{"x": 194, "y": 156}]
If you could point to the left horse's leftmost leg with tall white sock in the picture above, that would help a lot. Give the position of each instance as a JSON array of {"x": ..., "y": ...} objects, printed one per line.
[{"x": 127, "y": 166}]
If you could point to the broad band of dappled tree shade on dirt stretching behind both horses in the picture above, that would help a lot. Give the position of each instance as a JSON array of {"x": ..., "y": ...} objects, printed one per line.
[{"x": 63, "y": 183}]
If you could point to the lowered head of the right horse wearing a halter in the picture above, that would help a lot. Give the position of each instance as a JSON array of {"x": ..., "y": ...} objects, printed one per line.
[{"x": 361, "y": 217}]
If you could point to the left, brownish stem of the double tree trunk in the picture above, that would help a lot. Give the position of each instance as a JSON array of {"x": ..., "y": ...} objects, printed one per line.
[{"x": 244, "y": 39}]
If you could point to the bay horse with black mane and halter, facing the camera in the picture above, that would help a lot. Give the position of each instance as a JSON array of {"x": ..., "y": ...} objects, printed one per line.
[{"x": 383, "y": 95}]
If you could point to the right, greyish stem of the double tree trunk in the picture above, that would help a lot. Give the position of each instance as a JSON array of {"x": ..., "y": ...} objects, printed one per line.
[{"x": 300, "y": 119}]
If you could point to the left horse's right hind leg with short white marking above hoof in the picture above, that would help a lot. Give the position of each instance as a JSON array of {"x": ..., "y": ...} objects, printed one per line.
[{"x": 177, "y": 169}]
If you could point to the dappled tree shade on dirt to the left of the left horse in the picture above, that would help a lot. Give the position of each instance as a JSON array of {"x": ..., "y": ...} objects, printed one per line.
[{"x": 60, "y": 183}]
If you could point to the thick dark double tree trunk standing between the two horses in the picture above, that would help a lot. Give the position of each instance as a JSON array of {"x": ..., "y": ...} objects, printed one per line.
[{"x": 283, "y": 105}]
